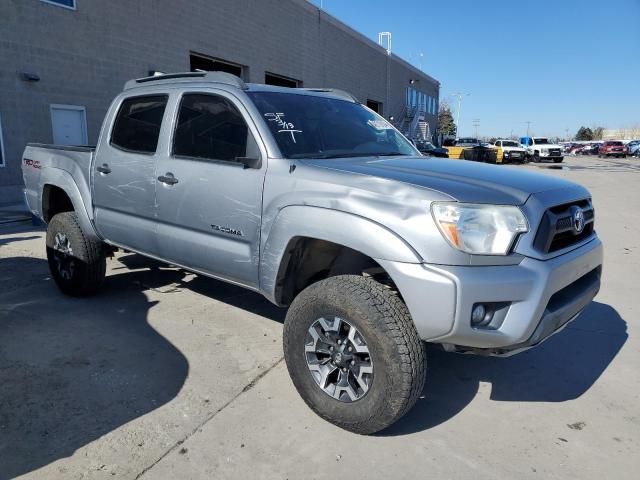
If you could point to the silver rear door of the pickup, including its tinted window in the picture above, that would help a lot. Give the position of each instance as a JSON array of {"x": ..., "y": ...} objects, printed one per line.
[{"x": 124, "y": 180}]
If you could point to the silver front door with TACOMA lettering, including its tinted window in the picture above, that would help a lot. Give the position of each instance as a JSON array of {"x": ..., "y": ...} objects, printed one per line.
[{"x": 209, "y": 204}]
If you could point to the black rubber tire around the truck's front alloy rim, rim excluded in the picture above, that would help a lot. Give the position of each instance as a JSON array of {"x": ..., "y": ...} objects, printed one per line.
[{"x": 398, "y": 354}]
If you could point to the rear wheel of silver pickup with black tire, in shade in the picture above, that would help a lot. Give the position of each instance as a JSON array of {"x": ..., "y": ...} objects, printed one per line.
[{"x": 88, "y": 257}]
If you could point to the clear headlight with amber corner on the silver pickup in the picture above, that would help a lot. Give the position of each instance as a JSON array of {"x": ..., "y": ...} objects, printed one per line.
[{"x": 479, "y": 229}]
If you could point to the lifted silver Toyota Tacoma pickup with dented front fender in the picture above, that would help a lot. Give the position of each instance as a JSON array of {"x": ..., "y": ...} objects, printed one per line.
[{"x": 319, "y": 204}]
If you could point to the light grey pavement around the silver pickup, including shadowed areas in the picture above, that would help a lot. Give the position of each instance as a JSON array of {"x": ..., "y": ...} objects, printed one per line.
[{"x": 167, "y": 375}]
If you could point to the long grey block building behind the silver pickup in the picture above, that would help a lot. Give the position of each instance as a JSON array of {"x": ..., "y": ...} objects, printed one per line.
[{"x": 63, "y": 61}]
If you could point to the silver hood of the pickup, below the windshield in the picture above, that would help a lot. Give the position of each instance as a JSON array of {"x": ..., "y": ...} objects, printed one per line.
[{"x": 461, "y": 180}]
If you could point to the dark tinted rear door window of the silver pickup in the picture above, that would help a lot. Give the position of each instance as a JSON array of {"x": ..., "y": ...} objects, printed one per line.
[{"x": 137, "y": 126}]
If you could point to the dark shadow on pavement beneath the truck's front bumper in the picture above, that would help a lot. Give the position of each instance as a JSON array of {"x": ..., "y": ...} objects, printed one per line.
[{"x": 561, "y": 369}]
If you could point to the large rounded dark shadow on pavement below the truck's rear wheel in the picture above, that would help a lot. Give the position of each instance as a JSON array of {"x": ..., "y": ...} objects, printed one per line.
[{"x": 73, "y": 370}]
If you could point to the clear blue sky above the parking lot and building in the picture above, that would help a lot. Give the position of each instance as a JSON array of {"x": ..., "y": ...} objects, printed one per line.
[{"x": 559, "y": 64}]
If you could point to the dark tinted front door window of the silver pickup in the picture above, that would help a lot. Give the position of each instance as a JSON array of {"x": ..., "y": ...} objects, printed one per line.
[{"x": 211, "y": 127}]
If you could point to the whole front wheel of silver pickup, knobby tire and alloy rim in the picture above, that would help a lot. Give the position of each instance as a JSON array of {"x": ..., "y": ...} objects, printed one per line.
[{"x": 353, "y": 353}]
